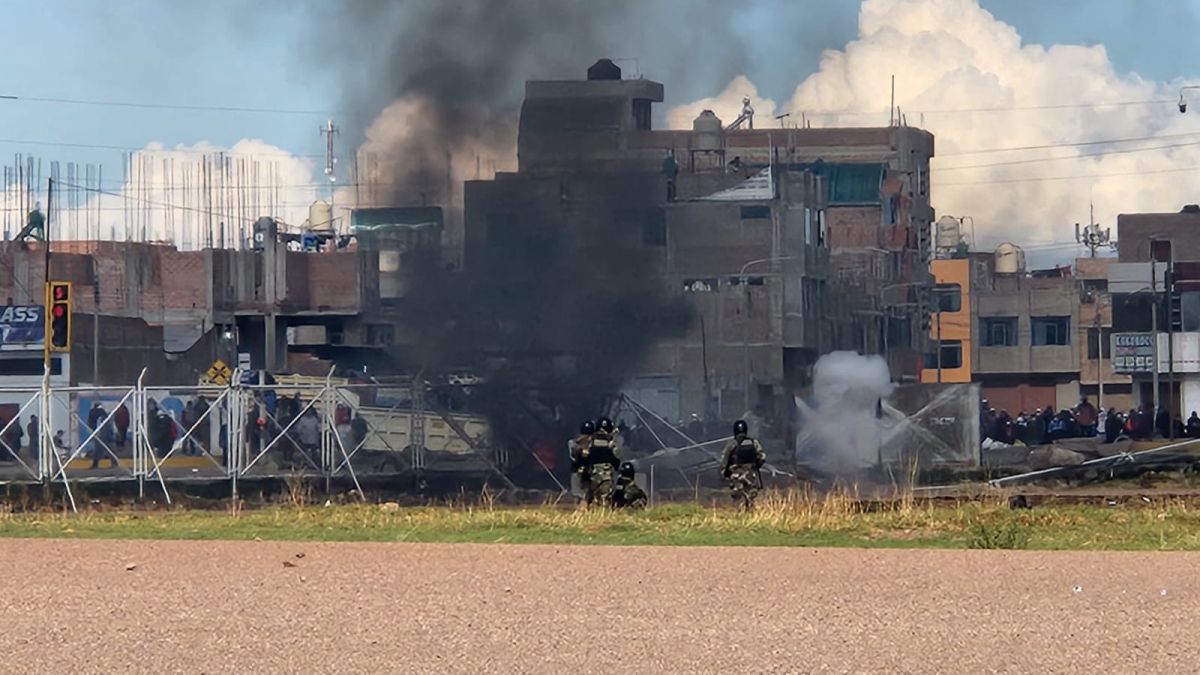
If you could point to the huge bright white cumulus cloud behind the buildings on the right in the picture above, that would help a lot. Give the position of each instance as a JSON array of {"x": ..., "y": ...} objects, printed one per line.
[{"x": 952, "y": 56}]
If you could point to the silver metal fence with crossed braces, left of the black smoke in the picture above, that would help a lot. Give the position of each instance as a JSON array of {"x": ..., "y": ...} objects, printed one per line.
[{"x": 291, "y": 428}]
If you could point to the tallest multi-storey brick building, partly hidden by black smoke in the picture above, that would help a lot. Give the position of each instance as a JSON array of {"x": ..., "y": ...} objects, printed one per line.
[{"x": 787, "y": 243}]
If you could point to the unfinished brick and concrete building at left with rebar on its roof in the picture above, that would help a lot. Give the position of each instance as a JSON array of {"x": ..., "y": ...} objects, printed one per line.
[{"x": 176, "y": 313}]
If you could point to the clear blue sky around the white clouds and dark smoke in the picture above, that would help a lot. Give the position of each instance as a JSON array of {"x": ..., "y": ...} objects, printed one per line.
[{"x": 260, "y": 53}]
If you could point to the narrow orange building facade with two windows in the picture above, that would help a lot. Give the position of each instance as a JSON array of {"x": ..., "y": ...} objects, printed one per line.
[{"x": 950, "y": 325}]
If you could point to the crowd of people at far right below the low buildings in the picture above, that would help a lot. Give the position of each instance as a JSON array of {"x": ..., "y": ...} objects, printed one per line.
[{"x": 1045, "y": 426}]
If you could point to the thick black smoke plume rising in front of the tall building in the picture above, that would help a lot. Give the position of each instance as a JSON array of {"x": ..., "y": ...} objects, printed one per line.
[{"x": 557, "y": 319}]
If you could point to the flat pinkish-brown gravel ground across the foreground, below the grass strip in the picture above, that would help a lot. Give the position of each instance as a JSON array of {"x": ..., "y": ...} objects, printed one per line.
[{"x": 223, "y": 607}]
